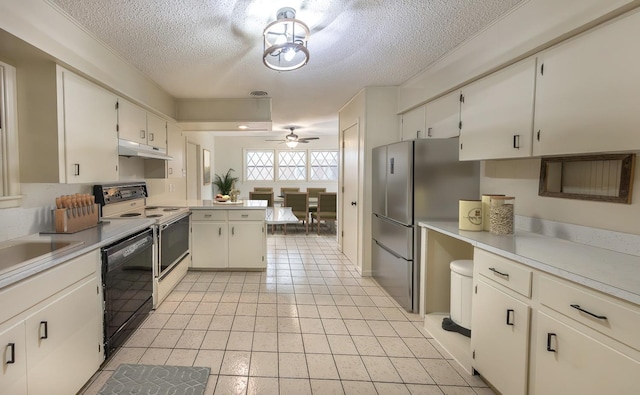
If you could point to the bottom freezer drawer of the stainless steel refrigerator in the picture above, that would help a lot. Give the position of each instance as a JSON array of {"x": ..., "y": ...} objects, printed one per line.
[{"x": 394, "y": 274}]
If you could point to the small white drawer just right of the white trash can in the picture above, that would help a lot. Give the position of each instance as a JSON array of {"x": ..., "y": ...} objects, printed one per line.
[{"x": 512, "y": 275}]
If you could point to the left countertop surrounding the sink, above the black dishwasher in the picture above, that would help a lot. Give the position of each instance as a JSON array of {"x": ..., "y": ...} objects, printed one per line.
[{"x": 102, "y": 235}]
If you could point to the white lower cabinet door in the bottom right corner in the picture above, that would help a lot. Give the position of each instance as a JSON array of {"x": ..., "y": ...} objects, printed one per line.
[{"x": 578, "y": 364}]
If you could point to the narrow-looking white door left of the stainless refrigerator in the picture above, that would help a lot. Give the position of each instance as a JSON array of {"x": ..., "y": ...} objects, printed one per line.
[{"x": 350, "y": 183}]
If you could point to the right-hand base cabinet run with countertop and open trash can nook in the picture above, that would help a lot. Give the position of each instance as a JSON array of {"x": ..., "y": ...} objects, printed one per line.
[{"x": 548, "y": 315}]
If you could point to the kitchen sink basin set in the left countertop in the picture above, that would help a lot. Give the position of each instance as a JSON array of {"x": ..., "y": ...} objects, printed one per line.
[{"x": 23, "y": 252}]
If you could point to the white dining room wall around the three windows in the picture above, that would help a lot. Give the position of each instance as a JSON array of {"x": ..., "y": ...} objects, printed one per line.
[{"x": 229, "y": 153}]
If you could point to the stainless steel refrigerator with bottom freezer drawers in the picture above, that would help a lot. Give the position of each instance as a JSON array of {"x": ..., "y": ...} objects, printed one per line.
[{"x": 413, "y": 181}]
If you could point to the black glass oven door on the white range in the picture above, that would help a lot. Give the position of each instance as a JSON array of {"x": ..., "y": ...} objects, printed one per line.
[{"x": 173, "y": 240}]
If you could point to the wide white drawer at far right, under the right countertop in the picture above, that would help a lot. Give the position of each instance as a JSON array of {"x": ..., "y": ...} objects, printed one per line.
[{"x": 603, "y": 313}]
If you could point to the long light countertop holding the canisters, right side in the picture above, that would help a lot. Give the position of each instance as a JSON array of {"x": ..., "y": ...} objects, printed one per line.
[{"x": 607, "y": 271}]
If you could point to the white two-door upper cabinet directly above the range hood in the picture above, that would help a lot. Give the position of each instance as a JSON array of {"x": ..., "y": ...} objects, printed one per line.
[{"x": 136, "y": 124}]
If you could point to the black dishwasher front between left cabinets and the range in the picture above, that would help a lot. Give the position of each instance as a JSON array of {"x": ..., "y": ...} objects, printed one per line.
[{"x": 127, "y": 280}]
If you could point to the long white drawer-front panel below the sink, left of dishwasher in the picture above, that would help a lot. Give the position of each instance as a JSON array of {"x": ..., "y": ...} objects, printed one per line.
[{"x": 23, "y": 295}]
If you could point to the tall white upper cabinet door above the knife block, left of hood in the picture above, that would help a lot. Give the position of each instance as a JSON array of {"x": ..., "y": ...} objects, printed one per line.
[{"x": 90, "y": 137}]
